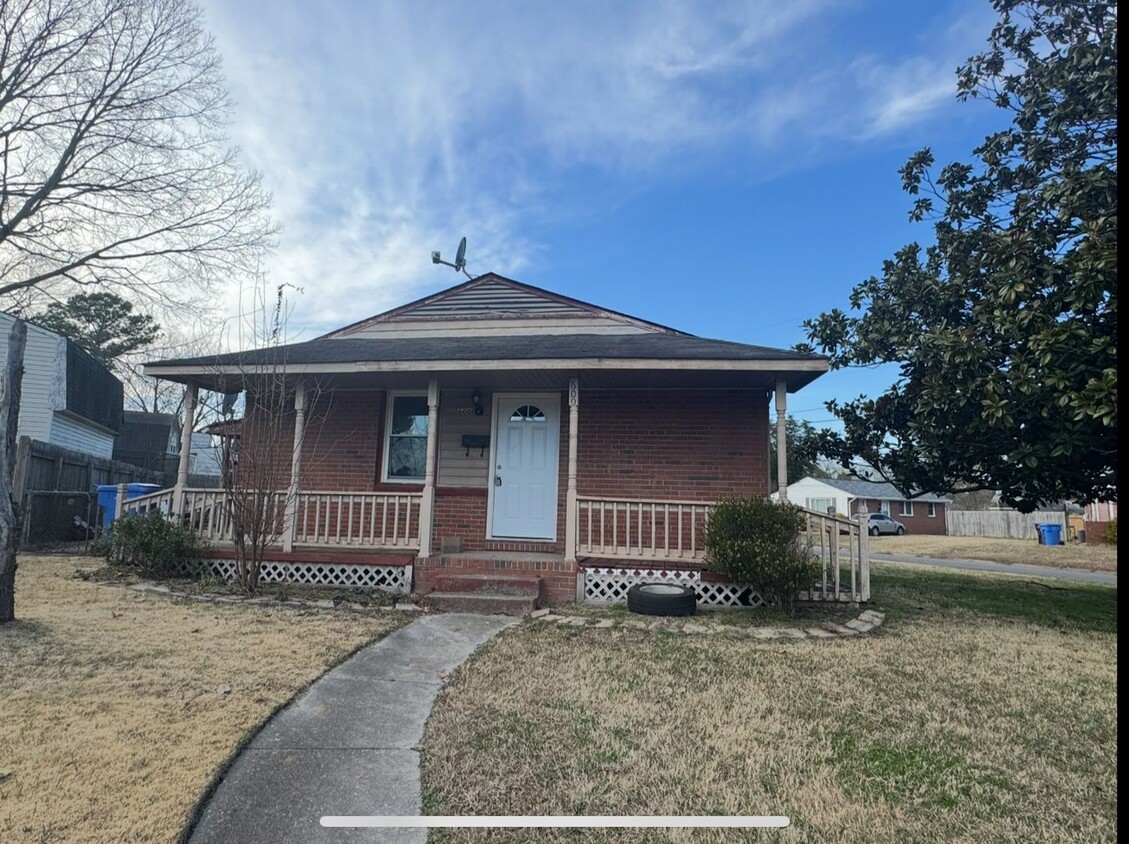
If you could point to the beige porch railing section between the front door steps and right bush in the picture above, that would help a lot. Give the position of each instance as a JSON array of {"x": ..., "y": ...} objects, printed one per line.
[{"x": 641, "y": 530}]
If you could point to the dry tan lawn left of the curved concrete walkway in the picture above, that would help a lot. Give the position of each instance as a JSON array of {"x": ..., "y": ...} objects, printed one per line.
[{"x": 113, "y": 716}]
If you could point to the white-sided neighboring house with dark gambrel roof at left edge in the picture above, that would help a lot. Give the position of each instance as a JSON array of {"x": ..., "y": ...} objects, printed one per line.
[{"x": 68, "y": 398}]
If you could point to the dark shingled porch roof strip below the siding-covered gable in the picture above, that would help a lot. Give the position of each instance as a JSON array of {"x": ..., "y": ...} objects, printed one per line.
[{"x": 553, "y": 347}]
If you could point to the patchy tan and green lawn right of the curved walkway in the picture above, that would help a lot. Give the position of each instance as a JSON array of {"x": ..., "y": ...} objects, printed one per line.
[{"x": 984, "y": 710}]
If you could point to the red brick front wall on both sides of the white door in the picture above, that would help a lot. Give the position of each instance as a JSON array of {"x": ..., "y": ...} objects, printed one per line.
[{"x": 667, "y": 445}]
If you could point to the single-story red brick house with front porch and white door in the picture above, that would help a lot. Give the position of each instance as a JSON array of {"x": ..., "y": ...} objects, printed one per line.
[{"x": 496, "y": 428}]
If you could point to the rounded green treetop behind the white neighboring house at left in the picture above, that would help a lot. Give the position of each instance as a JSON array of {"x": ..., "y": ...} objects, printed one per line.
[{"x": 103, "y": 324}]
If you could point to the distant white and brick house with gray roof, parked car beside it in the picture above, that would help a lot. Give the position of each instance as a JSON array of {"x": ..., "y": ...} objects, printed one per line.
[{"x": 923, "y": 514}]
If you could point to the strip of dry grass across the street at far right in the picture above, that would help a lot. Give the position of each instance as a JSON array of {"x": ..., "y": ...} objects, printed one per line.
[{"x": 1073, "y": 556}]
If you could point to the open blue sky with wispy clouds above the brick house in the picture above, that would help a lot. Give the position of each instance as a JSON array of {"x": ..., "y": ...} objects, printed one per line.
[{"x": 727, "y": 169}]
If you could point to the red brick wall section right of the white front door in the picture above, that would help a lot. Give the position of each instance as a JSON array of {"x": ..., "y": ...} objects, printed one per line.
[{"x": 673, "y": 445}]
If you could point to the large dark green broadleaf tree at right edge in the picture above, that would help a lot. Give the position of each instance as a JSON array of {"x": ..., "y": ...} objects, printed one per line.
[{"x": 1005, "y": 328}]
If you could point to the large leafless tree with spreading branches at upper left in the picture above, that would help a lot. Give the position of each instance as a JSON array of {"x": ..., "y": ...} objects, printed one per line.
[{"x": 116, "y": 170}]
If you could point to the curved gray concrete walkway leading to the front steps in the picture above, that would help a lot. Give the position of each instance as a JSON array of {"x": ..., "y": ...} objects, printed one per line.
[{"x": 348, "y": 746}]
